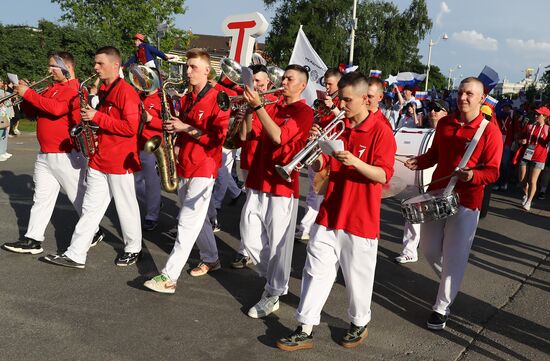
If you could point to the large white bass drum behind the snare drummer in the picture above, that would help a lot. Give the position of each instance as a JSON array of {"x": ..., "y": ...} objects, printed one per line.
[{"x": 412, "y": 142}]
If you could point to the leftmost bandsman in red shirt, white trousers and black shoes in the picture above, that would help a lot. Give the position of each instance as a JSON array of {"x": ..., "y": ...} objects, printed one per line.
[{"x": 58, "y": 165}]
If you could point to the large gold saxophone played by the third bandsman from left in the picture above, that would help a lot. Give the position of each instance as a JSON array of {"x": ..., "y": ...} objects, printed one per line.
[{"x": 163, "y": 147}]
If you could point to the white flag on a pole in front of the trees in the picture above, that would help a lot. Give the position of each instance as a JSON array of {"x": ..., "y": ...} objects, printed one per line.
[{"x": 304, "y": 54}]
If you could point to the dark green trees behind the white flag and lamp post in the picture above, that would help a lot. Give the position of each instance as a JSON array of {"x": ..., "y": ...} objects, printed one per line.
[{"x": 386, "y": 38}]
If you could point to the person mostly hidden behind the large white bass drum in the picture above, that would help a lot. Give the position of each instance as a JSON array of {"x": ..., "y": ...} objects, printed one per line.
[{"x": 437, "y": 109}]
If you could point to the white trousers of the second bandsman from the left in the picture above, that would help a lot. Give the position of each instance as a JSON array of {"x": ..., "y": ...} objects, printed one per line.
[{"x": 101, "y": 188}]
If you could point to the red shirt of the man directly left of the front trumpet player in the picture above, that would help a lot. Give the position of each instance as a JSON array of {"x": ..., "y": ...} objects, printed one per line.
[{"x": 295, "y": 121}]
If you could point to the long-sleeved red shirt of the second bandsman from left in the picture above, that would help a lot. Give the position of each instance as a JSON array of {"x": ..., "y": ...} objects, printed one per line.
[{"x": 118, "y": 121}]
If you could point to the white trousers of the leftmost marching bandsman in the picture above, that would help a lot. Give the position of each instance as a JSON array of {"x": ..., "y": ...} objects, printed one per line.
[{"x": 52, "y": 172}]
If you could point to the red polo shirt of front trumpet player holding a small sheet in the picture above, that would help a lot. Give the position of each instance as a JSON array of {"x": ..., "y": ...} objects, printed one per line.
[{"x": 352, "y": 202}]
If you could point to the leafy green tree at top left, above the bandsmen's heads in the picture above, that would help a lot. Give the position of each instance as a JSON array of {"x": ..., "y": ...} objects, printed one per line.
[{"x": 114, "y": 22}]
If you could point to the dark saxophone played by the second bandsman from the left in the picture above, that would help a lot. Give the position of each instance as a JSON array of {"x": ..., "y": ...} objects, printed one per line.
[{"x": 84, "y": 133}]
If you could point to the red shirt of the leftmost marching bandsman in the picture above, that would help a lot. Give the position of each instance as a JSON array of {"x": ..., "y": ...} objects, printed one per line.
[{"x": 57, "y": 109}]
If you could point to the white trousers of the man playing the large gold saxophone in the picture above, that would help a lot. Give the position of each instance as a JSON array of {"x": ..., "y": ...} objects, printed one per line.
[{"x": 193, "y": 226}]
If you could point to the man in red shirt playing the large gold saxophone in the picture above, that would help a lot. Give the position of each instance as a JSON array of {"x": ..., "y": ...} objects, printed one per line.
[{"x": 202, "y": 130}]
